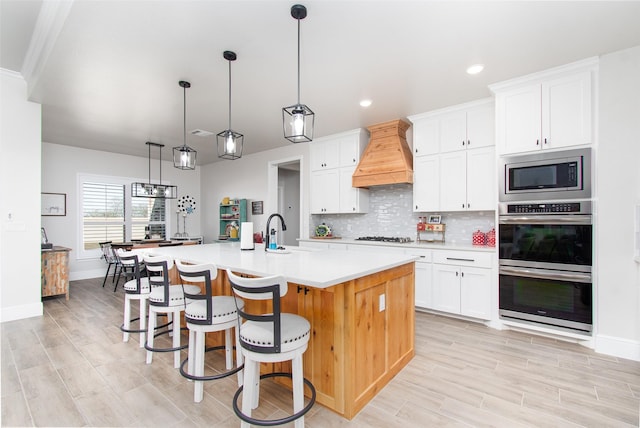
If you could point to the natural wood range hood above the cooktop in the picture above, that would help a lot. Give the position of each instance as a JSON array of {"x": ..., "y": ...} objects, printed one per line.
[{"x": 387, "y": 159}]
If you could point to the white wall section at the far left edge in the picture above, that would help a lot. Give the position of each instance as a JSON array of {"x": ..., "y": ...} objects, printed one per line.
[{"x": 20, "y": 137}]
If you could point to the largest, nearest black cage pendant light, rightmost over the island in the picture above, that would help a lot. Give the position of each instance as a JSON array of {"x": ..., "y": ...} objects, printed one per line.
[{"x": 297, "y": 120}]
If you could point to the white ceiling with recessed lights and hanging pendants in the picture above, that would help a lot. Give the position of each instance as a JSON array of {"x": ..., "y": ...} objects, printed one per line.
[{"x": 107, "y": 72}]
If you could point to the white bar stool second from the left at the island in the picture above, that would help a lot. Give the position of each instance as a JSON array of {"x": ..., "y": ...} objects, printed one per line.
[{"x": 165, "y": 299}]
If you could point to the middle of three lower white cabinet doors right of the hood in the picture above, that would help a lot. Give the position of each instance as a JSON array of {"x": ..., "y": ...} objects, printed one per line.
[{"x": 453, "y": 181}]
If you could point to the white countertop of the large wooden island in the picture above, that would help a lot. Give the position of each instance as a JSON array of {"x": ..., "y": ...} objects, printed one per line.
[{"x": 306, "y": 266}]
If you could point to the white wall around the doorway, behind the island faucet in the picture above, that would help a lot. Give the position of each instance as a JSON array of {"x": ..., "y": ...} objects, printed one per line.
[{"x": 249, "y": 178}]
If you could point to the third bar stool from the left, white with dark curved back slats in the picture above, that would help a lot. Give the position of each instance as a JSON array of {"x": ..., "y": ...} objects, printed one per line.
[{"x": 208, "y": 313}]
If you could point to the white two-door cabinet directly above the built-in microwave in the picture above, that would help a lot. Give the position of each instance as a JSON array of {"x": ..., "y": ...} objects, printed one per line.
[{"x": 548, "y": 110}]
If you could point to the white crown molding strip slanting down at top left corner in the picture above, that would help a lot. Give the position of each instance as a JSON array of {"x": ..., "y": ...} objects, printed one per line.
[{"x": 51, "y": 19}]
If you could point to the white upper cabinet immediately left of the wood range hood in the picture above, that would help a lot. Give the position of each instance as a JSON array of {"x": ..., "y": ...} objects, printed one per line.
[{"x": 333, "y": 160}]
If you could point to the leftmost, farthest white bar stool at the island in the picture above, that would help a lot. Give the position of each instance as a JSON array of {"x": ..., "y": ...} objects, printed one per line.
[{"x": 136, "y": 288}]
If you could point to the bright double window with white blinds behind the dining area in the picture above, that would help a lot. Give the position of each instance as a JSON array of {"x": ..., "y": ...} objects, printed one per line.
[{"x": 109, "y": 213}]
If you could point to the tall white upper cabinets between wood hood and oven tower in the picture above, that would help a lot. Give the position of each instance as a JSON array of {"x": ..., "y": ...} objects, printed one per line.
[{"x": 454, "y": 158}]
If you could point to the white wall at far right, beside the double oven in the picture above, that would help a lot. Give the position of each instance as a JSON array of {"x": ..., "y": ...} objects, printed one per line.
[{"x": 618, "y": 189}]
